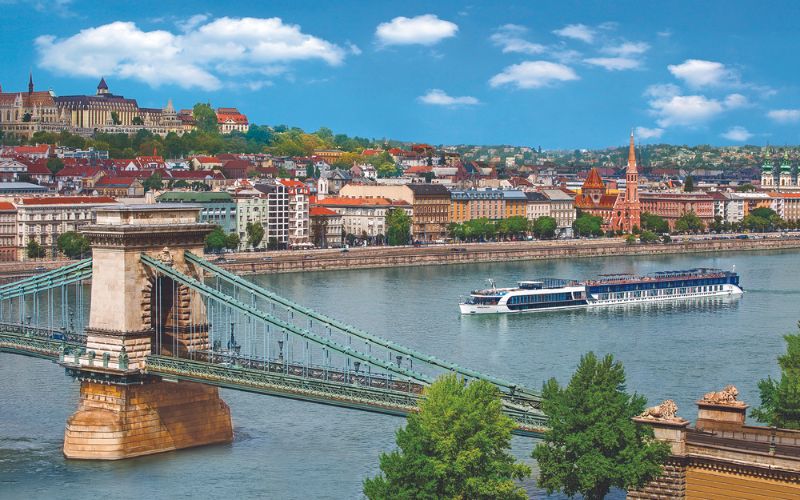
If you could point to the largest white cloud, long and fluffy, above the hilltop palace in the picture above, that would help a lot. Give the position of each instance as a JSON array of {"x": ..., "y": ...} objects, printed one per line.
[{"x": 200, "y": 58}]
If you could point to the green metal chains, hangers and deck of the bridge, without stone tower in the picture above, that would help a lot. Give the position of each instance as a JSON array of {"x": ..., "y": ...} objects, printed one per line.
[{"x": 257, "y": 341}]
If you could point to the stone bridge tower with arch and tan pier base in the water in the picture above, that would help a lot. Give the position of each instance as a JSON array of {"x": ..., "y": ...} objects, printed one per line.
[{"x": 123, "y": 412}]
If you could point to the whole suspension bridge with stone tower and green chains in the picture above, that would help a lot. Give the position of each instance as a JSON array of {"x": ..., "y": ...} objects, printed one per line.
[{"x": 151, "y": 330}]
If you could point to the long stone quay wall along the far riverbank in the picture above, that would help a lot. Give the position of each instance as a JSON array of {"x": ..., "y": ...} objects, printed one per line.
[{"x": 486, "y": 252}]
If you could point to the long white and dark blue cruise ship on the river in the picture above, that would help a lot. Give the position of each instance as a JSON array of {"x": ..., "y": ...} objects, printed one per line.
[{"x": 609, "y": 289}]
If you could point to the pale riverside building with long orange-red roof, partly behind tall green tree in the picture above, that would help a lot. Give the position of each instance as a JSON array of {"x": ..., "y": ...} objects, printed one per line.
[{"x": 364, "y": 218}]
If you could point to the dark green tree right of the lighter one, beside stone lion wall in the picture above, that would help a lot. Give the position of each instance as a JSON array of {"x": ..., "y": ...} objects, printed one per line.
[{"x": 593, "y": 444}]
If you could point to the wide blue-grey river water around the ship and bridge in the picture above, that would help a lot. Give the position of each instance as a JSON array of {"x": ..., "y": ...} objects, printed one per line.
[{"x": 287, "y": 449}]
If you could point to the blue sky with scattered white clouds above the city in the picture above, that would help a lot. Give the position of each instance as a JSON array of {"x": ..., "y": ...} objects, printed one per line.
[{"x": 558, "y": 74}]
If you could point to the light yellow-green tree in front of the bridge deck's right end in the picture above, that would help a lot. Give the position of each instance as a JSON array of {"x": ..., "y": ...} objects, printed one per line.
[{"x": 455, "y": 447}]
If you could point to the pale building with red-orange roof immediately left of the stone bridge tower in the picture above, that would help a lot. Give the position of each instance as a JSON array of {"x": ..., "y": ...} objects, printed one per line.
[{"x": 44, "y": 219}]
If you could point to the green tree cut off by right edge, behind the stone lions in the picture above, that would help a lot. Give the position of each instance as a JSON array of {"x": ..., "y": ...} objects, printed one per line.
[{"x": 780, "y": 399}]
